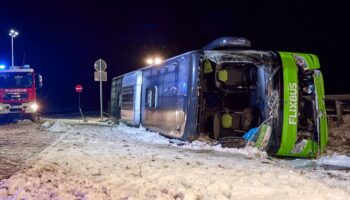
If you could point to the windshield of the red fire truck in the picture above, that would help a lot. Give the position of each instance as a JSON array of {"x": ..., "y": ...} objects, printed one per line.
[{"x": 16, "y": 80}]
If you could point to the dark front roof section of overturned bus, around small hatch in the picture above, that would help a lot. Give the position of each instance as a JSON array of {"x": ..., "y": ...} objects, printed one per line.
[{"x": 171, "y": 82}]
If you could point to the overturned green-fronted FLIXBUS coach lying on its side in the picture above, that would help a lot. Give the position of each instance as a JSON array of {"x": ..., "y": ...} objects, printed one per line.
[{"x": 227, "y": 90}]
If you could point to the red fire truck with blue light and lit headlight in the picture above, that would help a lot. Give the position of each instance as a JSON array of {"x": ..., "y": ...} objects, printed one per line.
[{"x": 18, "y": 98}]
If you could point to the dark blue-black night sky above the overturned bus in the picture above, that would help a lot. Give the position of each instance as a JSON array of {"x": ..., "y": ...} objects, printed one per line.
[{"x": 62, "y": 39}]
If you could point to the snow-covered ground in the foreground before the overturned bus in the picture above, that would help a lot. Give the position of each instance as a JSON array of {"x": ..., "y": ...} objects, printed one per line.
[{"x": 100, "y": 160}]
